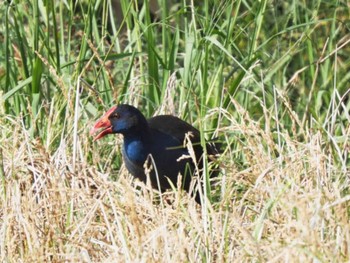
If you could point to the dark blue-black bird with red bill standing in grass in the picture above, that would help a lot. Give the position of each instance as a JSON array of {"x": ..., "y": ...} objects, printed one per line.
[{"x": 158, "y": 141}]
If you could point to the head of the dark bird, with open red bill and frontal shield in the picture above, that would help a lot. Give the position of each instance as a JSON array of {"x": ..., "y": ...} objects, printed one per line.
[{"x": 124, "y": 119}]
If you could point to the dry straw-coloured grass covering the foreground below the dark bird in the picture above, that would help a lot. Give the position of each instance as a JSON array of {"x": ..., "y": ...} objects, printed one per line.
[{"x": 289, "y": 208}]
